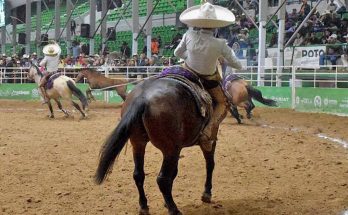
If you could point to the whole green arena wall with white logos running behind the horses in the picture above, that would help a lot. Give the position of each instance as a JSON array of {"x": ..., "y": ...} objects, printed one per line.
[{"x": 327, "y": 100}]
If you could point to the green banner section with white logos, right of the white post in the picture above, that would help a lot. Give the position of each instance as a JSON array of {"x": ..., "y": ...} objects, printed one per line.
[{"x": 327, "y": 100}]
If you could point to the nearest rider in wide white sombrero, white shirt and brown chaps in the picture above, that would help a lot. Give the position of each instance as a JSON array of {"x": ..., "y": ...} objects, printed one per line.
[{"x": 201, "y": 51}]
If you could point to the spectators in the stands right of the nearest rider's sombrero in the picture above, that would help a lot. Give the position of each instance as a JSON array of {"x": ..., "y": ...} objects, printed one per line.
[{"x": 329, "y": 28}]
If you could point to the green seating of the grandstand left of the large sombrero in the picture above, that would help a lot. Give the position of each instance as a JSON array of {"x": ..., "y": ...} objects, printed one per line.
[{"x": 164, "y": 23}]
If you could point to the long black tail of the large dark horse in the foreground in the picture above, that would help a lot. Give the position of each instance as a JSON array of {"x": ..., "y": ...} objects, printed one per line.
[{"x": 118, "y": 139}]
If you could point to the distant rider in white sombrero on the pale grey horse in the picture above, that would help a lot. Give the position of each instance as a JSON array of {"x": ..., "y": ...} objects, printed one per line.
[{"x": 51, "y": 61}]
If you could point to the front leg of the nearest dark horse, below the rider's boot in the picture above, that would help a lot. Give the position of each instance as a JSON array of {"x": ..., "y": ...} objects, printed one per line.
[{"x": 210, "y": 164}]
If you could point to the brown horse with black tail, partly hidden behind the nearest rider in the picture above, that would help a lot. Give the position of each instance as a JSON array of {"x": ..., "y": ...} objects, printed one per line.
[{"x": 240, "y": 93}]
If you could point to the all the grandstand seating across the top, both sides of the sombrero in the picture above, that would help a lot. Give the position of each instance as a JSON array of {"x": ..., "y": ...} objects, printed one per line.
[{"x": 164, "y": 22}]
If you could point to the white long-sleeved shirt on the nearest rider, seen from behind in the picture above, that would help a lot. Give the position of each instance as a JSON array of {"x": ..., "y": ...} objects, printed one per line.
[{"x": 201, "y": 50}]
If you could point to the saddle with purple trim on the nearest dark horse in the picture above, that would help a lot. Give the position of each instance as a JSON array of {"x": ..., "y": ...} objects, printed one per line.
[{"x": 191, "y": 82}]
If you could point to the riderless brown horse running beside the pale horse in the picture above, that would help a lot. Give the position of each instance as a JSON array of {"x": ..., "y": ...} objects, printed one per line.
[{"x": 99, "y": 81}]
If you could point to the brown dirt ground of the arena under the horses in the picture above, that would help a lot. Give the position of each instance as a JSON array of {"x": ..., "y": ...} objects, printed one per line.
[{"x": 273, "y": 164}]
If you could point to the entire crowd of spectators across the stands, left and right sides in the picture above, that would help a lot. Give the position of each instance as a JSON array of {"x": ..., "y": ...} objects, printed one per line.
[{"x": 329, "y": 27}]
